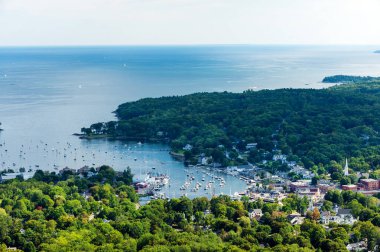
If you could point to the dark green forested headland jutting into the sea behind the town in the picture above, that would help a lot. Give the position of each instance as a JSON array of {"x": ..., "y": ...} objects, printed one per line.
[{"x": 311, "y": 126}]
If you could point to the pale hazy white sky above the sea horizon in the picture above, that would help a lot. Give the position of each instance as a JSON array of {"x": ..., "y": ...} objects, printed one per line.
[{"x": 101, "y": 22}]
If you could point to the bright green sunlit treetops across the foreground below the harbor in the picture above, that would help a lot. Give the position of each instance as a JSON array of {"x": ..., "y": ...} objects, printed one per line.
[{"x": 78, "y": 214}]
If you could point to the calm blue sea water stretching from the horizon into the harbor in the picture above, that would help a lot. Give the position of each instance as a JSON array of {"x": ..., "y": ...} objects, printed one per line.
[{"x": 46, "y": 94}]
